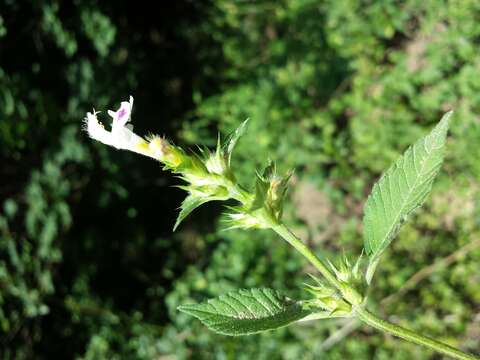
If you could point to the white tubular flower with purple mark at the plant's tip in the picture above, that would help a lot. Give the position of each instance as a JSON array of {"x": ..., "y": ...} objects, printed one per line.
[{"x": 121, "y": 135}]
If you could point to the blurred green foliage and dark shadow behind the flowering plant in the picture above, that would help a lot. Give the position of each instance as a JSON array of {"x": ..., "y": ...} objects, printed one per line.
[{"x": 336, "y": 89}]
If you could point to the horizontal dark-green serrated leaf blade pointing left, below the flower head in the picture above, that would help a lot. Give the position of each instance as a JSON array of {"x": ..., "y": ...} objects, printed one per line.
[{"x": 245, "y": 312}]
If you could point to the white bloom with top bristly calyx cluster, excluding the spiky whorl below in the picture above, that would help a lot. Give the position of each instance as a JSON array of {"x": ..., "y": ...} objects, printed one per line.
[{"x": 208, "y": 175}]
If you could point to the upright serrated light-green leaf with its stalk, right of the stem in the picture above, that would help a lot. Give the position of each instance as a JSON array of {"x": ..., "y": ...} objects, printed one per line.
[{"x": 401, "y": 190}]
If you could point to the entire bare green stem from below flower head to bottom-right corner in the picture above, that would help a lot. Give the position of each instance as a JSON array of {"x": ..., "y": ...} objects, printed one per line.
[{"x": 362, "y": 313}]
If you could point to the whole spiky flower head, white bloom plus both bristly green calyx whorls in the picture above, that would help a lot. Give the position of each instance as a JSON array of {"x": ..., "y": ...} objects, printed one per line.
[{"x": 208, "y": 174}]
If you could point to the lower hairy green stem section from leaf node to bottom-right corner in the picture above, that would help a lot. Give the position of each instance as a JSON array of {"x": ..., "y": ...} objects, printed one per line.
[{"x": 412, "y": 336}]
